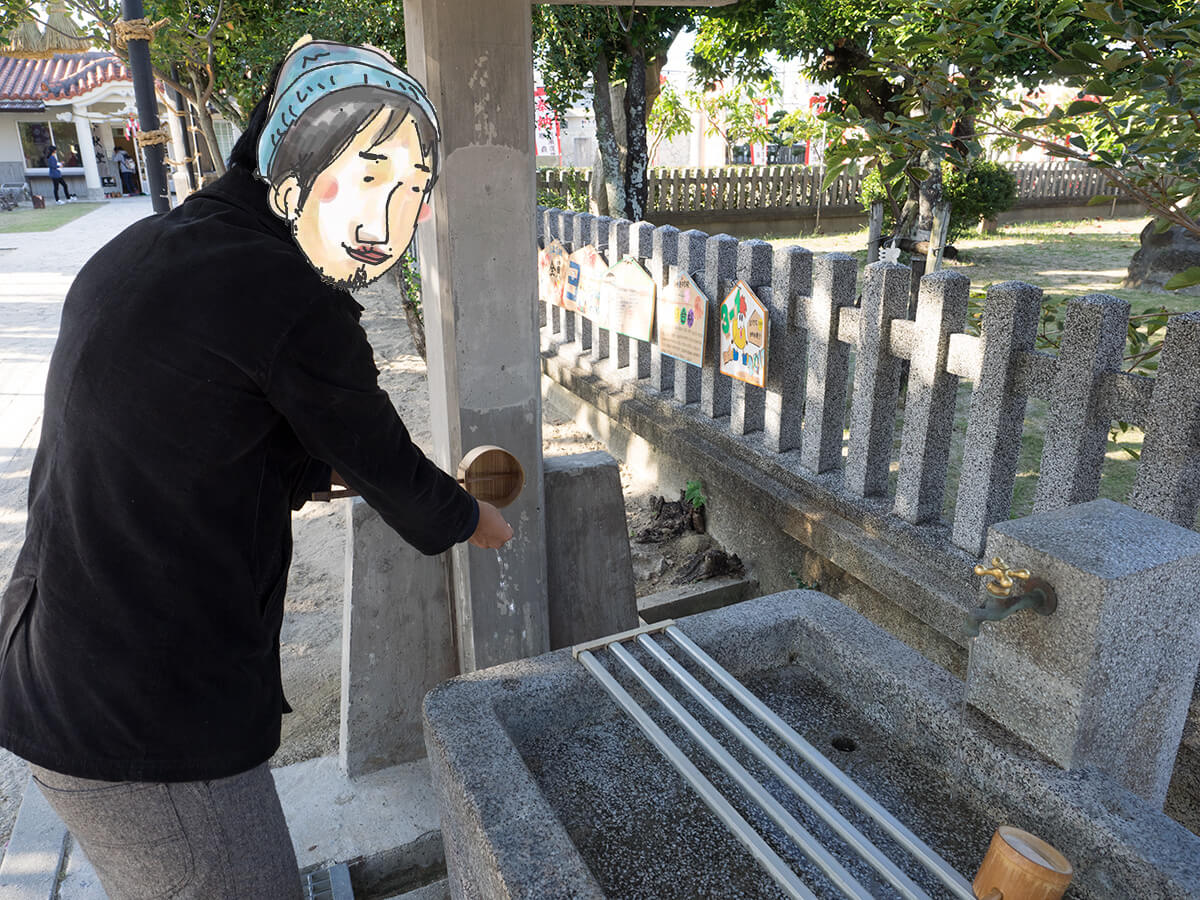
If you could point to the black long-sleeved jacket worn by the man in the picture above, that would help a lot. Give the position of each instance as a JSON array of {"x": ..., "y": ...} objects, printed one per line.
[{"x": 203, "y": 383}]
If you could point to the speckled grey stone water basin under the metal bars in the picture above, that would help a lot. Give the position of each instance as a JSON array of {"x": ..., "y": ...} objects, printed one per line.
[{"x": 549, "y": 790}]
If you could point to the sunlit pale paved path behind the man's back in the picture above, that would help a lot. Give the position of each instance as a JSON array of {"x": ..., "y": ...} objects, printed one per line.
[{"x": 37, "y": 269}]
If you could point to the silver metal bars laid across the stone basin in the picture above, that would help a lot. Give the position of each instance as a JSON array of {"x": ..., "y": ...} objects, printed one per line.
[{"x": 805, "y": 842}]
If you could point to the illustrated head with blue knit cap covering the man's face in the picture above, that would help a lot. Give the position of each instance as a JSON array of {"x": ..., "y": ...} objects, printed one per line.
[{"x": 351, "y": 153}]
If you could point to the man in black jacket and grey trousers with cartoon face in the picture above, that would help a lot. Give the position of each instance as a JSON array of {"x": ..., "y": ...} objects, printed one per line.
[{"x": 211, "y": 374}]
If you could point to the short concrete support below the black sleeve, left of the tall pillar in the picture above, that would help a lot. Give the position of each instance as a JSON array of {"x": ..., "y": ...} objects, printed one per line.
[{"x": 398, "y": 644}]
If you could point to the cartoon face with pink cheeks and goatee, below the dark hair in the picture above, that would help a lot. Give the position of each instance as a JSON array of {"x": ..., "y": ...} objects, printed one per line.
[{"x": 362, "y": 212}]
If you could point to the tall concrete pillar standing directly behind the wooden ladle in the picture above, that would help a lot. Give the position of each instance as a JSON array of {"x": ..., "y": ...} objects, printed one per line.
[{"x": 479, "y": 291}]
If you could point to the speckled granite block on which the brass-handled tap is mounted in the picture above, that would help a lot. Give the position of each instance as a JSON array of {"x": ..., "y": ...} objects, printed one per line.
[{"x": 1105, "y": 681}]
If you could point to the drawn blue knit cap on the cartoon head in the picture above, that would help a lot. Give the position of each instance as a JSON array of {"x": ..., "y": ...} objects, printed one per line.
[{"x": 322, "y": 68}]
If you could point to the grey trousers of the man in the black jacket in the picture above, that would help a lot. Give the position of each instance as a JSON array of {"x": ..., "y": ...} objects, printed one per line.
[{"x": 212, "y": 841}]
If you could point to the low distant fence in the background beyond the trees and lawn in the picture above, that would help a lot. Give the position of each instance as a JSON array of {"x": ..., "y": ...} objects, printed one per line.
[{"x": 799, "y": 188}]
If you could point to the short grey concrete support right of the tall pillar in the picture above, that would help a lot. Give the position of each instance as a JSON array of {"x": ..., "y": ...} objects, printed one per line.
[{"x": 591, "y": 572}]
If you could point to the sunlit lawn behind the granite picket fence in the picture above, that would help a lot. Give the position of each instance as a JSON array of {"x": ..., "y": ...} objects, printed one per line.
[{"x": 1066, "y": 260}]
